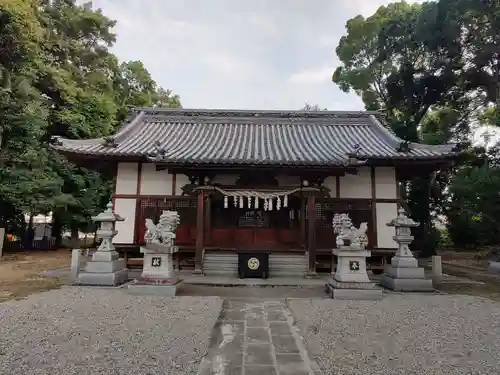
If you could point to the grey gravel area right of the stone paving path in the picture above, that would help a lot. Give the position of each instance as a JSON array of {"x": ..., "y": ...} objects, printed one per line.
[{"x": 402, "y": 334}]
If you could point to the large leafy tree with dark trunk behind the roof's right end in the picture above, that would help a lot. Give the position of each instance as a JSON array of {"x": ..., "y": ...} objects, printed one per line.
[{"x": 406, "y": 60}]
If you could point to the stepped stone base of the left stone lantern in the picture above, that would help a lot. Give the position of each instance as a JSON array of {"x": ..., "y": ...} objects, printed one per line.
[{"x": 104, "y": 269}]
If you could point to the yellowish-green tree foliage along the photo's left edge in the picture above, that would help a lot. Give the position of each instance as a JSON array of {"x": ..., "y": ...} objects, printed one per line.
[{"x": 27, "y": 183}]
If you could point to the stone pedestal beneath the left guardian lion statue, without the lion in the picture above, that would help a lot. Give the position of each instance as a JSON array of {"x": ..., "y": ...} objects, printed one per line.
[{"x": 157, "y": 276}]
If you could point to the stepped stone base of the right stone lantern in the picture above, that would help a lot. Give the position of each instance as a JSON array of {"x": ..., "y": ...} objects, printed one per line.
[{"x": 404, "y": 275}]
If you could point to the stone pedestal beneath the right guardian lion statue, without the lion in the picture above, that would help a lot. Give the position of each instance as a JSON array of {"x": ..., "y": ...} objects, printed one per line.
[{"x": 351, "y": 280}]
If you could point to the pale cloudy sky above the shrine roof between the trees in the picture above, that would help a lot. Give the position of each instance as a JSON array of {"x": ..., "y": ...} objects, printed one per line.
[{"x": 258, "y": 54}]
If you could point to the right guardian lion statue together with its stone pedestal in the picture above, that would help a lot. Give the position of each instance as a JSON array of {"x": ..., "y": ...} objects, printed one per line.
[{"x": 351, "y": 280}]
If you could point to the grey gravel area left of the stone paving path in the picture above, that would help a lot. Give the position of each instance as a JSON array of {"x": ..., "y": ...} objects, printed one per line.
[{"x": 104, "y": 331}]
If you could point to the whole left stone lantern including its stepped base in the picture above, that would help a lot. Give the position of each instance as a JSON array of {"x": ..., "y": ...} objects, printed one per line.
[{"x": 105, "y": 267}]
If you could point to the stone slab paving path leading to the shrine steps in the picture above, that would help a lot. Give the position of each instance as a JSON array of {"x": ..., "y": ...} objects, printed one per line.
[{"x": 256, "y": 338}]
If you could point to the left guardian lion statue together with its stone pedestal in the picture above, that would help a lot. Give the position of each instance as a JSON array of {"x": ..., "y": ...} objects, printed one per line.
[{"x": 158, "y": 276}]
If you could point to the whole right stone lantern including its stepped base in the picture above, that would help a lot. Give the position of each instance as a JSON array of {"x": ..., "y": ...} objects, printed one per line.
[{"x": 404, "y": 274}]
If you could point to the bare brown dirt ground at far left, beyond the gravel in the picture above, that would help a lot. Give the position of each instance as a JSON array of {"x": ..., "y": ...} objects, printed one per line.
[{"x": 20, "y": 272}]
